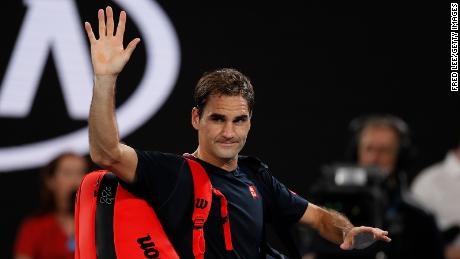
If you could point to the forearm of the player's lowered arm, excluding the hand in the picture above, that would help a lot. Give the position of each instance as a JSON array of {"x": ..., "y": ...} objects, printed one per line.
[{"x": 333, "y": 225}]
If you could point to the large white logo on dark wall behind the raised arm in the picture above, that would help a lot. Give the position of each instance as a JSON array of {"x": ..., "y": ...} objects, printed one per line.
[{"x": 54, "y": 26}]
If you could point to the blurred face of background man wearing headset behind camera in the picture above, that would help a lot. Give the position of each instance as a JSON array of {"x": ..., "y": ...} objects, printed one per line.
[{"x": 378, "y": 146}]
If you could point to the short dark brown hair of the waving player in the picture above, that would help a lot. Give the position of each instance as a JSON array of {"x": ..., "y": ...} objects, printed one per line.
[{"x": 225, "y": 81}]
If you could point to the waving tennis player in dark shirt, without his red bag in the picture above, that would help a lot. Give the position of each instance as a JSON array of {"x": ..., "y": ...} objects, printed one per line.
[{"x": 222, "y": 117}]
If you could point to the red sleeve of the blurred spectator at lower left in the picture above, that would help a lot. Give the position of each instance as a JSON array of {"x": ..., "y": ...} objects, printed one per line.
[{"x": 26, "y": 239}]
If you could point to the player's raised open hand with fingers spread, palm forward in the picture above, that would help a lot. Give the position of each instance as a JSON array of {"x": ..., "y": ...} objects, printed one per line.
[{"x": 107, "y": 53}]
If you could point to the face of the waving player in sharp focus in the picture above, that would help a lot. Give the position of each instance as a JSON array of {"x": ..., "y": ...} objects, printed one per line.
[{"x": 223, "y": 126}]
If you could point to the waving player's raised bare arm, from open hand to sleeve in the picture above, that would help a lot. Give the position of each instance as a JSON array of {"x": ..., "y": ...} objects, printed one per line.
[{"x": 109, "y": 57}]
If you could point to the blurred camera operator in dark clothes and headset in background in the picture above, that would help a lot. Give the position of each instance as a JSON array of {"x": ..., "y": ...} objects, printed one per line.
[{"x": 382, "y": 141}]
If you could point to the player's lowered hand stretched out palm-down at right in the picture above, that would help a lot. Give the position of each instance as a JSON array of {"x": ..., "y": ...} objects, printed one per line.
[{"x": 362, "y": 237}]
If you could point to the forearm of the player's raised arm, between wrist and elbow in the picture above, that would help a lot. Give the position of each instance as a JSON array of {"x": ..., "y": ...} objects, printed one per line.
[{"x": 103, "y": 131}]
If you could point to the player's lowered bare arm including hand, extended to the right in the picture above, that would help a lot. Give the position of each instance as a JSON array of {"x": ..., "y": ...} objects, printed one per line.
[{"x": 336, "y": 228}]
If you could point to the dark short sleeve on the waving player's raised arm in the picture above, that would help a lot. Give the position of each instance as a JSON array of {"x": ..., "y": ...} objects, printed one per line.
[{"x": 156, "y": 176}]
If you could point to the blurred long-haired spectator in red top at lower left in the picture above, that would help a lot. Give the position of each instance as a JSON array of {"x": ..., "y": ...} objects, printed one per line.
[{"x": 49, "y": 233}]
